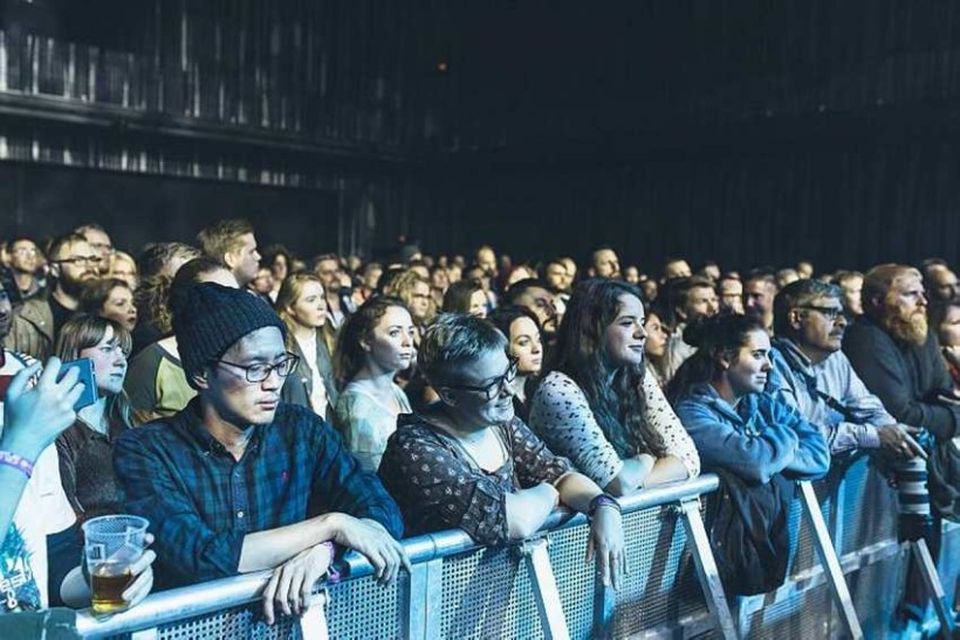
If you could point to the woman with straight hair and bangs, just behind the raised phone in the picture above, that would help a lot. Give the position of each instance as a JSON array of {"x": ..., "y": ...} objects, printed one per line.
[{"x": 86, "y": 448}]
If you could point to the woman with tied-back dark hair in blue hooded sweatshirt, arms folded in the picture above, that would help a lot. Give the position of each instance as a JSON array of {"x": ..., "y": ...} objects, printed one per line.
[{"x": 719, "y": 395}]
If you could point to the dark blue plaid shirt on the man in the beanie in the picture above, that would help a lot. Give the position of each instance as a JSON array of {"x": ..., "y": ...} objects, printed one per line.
[{"x": 201, "y": 502}]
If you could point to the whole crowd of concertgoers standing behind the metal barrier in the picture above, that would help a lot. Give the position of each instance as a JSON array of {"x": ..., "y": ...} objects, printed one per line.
[{"x": 267, "y": 412}]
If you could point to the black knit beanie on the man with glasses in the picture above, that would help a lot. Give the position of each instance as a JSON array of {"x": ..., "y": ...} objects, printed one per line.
[{"x": 210, "y": 317}]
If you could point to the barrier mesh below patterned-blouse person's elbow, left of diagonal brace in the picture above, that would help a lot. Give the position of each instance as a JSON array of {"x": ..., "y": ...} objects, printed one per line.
[{"x": 487, "y": 594}]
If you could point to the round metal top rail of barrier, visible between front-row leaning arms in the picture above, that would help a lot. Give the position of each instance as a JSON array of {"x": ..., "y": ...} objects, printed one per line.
[{"x": 208, "y": 597}]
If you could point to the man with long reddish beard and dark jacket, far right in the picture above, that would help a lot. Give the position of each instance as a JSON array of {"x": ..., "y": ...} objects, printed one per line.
[{"x": 897, "y": 357}]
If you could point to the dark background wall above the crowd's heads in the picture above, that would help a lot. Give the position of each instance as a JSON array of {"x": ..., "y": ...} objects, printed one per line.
[{"x": 746, "y": 131}]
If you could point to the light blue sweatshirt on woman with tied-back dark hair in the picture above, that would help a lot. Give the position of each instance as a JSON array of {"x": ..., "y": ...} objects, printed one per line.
[{"x": 755, "y": 439}]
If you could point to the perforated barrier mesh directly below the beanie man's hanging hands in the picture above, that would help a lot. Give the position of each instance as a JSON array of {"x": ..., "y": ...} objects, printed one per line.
[{"x": 363, "y": 609}]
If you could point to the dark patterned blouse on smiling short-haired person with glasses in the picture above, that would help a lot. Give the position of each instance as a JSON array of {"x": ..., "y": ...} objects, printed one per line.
[{"x": 438, "y": 485}]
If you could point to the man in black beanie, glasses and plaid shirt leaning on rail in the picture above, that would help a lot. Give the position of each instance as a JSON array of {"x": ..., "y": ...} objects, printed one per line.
[{"x": 227, "y": 483}]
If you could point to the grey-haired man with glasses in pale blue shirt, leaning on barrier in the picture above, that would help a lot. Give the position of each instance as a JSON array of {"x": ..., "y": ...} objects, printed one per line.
[{"x": 815, "y": 376}]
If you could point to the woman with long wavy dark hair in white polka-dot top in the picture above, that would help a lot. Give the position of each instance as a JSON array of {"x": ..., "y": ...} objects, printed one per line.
[{"x": 598, "y": 407}]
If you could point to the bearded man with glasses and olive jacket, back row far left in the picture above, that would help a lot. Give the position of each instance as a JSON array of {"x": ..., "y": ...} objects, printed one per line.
[{"x": 73, "y": 263}]
